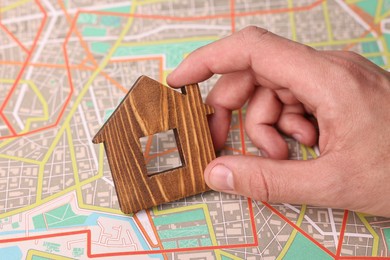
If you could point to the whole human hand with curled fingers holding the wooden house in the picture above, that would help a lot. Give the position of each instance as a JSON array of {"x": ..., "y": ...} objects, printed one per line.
[{"x": 282, "y": 81}]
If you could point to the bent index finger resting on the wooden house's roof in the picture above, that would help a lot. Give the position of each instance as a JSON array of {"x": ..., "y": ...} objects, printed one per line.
[{"x": 274, "y": 59}]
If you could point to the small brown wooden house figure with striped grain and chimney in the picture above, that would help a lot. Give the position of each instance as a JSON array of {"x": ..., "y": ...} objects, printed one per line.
[{"x": 147, "y": 109}]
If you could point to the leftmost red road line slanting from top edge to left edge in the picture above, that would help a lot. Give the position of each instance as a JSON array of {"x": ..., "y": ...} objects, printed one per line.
[{"x": 18, "y": 77}]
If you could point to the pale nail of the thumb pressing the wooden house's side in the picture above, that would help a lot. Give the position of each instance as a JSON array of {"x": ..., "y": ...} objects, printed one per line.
[{"x": 221, "y": 177}]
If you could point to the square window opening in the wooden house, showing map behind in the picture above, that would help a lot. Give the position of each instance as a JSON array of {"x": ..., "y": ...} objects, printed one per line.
[{"x": 162, "y": 152}]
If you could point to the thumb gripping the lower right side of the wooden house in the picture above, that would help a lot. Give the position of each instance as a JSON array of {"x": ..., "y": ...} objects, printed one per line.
[{"x": 287, "y": 181}]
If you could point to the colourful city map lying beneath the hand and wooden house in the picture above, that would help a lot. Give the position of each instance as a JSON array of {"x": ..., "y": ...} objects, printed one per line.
[{"x": 65, "y": 65}]
